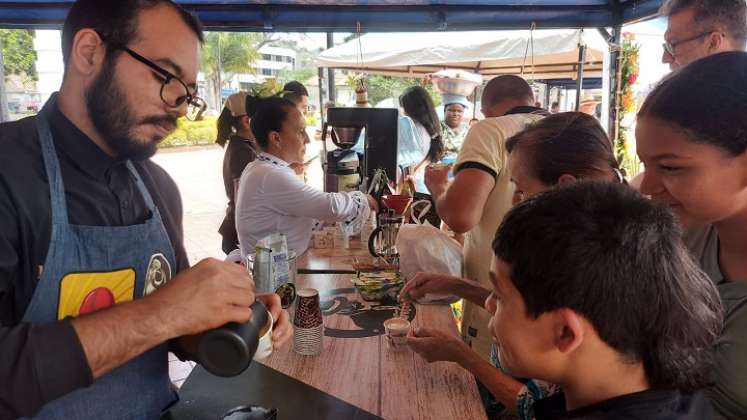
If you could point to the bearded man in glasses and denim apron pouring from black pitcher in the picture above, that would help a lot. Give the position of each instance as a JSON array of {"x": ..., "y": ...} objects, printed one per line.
[{"x": 95, "y": 285}]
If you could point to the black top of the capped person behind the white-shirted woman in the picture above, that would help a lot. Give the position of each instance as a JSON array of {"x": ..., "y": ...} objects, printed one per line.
[{"x": 239, "y": 153}]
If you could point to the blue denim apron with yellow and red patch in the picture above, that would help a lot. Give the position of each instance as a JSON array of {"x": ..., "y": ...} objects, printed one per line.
[{"x": 92, "y": 267}]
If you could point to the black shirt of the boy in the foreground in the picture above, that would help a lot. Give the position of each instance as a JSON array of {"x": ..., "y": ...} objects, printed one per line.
[{"x": 653, "y": 404}]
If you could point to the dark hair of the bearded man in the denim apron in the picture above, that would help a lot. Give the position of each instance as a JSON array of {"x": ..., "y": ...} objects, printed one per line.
[{"x": 116, "y": 21}]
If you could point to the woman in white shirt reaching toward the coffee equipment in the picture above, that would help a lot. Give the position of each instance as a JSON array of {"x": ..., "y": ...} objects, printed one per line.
[{"x": 271, "y": 196}]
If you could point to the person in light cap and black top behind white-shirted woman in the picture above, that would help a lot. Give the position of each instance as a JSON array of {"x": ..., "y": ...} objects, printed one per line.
[{"x": 234, "y": 130}]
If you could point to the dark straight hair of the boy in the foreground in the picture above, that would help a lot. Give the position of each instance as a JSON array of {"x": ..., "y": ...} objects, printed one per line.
[{"x": 616, "y": 258}]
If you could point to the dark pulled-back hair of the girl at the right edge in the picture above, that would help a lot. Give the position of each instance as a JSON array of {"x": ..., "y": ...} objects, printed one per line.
[{"x": 707, "y": 100}]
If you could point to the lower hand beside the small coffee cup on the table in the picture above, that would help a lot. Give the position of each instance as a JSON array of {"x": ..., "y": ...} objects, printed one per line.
[{"x": 436, "y": 346}]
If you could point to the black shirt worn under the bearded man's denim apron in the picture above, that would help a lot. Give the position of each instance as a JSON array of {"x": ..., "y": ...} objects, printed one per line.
[{"x": 42, "y": 362}]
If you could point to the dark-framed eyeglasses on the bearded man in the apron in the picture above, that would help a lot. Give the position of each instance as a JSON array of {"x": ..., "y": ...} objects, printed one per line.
[{"x": 174, "y": 92}]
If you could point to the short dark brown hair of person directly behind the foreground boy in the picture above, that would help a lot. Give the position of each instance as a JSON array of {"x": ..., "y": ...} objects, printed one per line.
[{"x": 567, "y": 143}]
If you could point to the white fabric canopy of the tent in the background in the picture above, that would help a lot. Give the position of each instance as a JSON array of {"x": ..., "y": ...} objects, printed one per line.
[{"x": 489, "y": 53}]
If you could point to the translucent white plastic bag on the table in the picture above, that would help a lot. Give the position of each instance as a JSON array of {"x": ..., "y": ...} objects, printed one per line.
[{"x": 423, "y": 247}]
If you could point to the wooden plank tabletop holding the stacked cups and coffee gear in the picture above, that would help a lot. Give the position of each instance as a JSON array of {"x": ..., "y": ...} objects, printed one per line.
[{"x": 366, "y": 372}]
